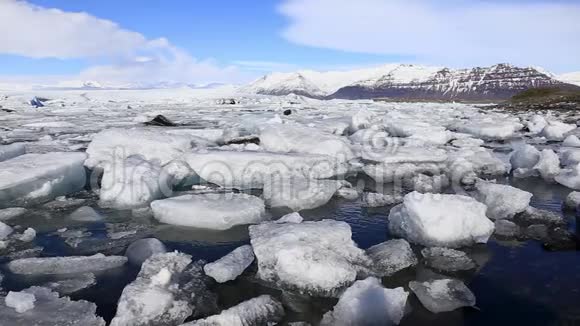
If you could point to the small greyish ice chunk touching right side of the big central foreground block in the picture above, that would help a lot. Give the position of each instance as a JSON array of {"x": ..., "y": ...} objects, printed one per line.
[{"x": 392, "y": 256}]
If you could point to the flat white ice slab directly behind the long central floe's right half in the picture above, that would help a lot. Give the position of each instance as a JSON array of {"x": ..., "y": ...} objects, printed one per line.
[{"x": 288, "y": 138}]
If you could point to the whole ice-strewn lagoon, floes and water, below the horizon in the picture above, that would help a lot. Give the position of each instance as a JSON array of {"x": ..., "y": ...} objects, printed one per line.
[{"x": 284, "y": 211}]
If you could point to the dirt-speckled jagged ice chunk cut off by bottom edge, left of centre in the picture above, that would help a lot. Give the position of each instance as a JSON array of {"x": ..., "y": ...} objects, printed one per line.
[{"x": 159, "y": 295}]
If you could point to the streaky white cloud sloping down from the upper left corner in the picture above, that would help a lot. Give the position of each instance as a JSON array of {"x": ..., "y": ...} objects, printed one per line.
[{"x": 128, "y": 57}]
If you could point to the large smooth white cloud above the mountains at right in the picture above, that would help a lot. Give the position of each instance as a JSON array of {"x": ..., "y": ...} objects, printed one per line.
[{"x": 453, "y": 32}]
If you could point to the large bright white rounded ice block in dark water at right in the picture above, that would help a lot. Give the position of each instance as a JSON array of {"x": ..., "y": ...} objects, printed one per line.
[{"x": 440, "y": 220}]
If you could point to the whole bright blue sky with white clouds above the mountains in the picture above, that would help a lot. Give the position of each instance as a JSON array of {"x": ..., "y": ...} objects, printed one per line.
[{"x": 239, "y": 40}]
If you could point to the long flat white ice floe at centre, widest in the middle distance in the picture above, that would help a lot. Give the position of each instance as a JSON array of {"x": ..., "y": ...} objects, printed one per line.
[{"x": 247, "y": 170}]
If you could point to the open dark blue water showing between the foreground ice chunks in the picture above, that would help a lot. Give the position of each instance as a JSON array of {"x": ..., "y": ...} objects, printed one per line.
[{"x": 517, "y": 283}]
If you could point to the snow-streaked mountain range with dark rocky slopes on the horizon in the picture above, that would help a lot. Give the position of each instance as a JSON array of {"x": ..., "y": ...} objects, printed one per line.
[{"x": 403, "y": 81}]
